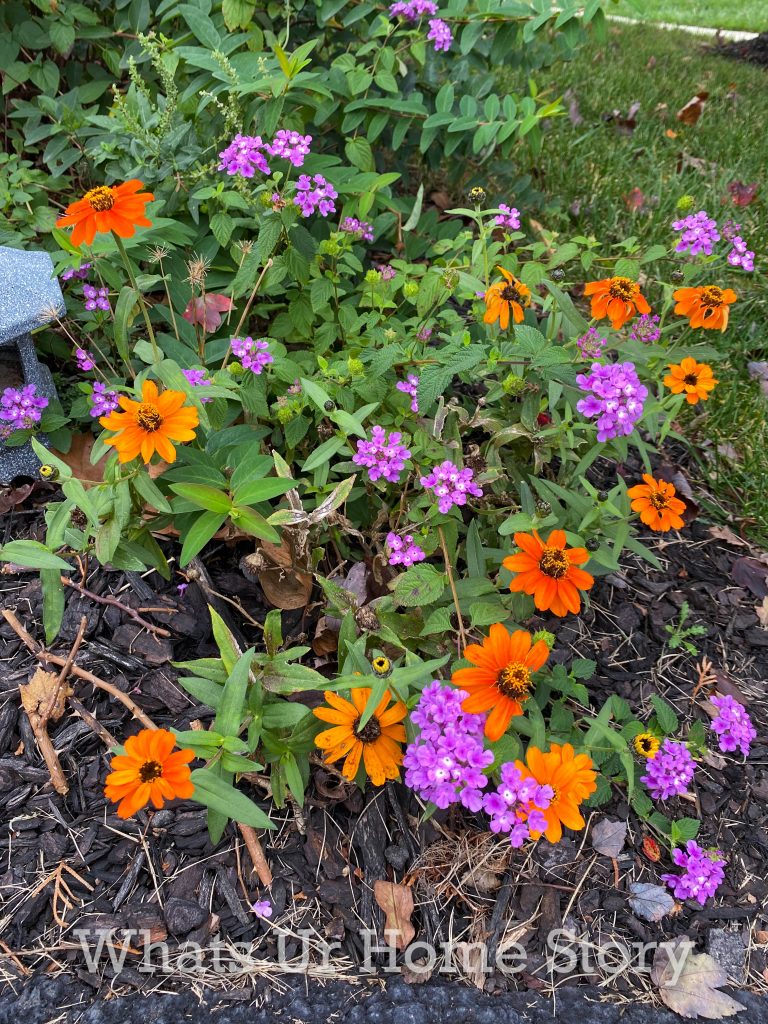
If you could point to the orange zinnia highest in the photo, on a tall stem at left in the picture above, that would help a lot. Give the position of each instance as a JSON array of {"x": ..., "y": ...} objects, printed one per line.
[{"x": 108, "y": 208}]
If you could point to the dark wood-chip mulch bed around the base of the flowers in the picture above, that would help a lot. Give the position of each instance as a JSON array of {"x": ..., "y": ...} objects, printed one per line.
[{"x": 160, "y": 872}]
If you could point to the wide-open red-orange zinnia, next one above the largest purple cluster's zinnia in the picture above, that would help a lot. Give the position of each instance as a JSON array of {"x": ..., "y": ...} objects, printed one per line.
[{"x": 549, "y": 572}]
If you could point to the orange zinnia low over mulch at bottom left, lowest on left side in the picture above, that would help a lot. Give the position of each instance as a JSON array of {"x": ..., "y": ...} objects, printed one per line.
[{"x": 148, "y": 772}]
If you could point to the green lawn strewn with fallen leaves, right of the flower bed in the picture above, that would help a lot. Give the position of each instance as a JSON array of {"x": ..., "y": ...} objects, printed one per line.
[{"x": 587, "y": 169}]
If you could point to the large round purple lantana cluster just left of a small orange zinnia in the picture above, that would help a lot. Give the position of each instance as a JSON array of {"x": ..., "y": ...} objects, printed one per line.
[{"x": 617, "y": 399}]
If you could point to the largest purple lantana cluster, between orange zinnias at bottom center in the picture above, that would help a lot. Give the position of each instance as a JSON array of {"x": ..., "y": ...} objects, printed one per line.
[{"x": 445, "y": 765}]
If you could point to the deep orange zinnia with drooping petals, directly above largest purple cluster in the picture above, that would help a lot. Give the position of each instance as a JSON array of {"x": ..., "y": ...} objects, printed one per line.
[{"x": 501, "y": 681}]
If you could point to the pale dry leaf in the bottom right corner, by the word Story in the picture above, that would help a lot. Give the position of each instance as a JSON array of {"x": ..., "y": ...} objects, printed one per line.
[{"x": 697, "y": 991}]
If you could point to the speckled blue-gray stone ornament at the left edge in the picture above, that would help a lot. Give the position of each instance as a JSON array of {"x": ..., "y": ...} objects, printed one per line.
[{"x": 30, "y": 298}]
